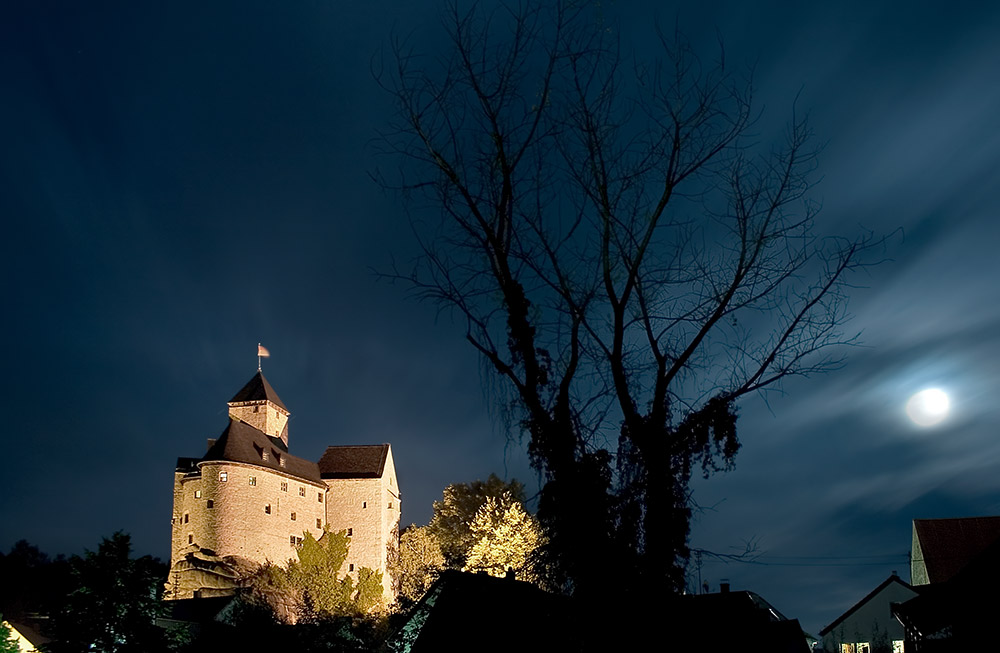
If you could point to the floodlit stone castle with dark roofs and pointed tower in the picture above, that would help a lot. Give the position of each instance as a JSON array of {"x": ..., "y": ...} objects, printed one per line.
[{"x": 248, "y": 500}]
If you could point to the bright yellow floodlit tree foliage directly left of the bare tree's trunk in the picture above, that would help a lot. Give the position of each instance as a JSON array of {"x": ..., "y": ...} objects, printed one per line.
[{"x": 506, "y": 538}]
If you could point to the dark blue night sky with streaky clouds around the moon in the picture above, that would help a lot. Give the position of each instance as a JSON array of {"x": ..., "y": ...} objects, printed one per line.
[{"x": 180, "y": 182}]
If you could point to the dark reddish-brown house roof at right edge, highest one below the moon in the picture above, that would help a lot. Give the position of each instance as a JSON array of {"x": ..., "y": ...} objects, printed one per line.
[{"x": 947, "y": 545}]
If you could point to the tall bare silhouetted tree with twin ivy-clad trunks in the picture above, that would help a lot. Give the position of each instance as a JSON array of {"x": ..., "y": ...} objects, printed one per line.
[{"x": 626, "y": 260}]
